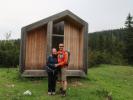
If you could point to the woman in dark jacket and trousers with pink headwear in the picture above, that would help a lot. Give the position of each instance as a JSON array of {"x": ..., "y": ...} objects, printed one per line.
[{"x": 52, "y": 72}]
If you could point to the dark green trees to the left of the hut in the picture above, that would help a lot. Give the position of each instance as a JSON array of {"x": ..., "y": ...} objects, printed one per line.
[{"x": 9, "y": 53}]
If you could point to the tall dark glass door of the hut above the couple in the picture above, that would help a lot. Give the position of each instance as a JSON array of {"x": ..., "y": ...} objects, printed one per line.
[{"x": 58, "y": 34}]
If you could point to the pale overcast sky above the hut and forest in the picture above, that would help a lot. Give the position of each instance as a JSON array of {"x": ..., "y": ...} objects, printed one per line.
[{"x": 100, "y": 14}]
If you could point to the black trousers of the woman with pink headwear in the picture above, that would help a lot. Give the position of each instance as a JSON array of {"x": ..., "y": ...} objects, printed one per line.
[{"x": 52, "y": 81}]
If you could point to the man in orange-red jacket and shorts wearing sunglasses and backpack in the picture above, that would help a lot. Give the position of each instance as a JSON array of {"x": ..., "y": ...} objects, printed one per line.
[{"x": 62, "y": 61}]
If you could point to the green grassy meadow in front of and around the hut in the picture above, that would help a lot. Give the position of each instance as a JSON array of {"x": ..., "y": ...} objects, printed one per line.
[{"x": 102, "y": 83}]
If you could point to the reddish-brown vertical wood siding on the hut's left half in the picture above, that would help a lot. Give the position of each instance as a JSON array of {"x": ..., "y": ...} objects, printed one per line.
[{"x": 36, "y": 48}]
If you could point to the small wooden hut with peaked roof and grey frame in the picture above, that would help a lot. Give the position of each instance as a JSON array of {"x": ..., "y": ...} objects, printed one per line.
[{"x": 39, "y": 38}]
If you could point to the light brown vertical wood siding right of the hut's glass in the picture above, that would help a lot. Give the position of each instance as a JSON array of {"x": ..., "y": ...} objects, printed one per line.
[{"x": 73, "y": 41}]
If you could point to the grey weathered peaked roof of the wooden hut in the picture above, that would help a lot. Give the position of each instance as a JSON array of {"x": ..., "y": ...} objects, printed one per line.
[{"x": 55, "y": 18}]
